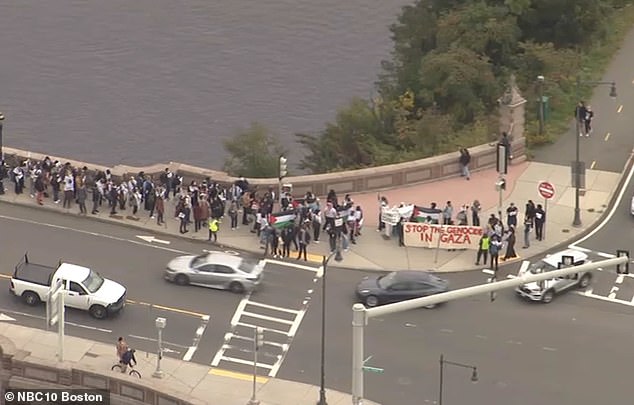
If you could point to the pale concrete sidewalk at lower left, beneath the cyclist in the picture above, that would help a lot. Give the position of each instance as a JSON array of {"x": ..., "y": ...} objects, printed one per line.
[{"x": 194, "y": 383}]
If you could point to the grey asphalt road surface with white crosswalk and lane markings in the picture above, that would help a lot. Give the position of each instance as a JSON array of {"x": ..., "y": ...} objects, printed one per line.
[{"x": 568, "y": 352}]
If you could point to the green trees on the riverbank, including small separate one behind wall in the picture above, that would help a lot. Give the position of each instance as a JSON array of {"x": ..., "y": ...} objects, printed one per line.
[{"x": 438, "y": 91}]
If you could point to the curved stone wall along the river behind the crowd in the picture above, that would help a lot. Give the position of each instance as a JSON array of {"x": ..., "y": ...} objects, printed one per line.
[{"x": 352, "y": 181}]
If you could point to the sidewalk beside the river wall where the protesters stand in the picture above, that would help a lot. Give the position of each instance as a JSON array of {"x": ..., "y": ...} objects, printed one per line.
[{"x": 373, "y": 252}]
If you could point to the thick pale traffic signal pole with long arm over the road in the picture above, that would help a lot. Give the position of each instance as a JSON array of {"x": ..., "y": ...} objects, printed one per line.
[{"x": 361, "y": 314}]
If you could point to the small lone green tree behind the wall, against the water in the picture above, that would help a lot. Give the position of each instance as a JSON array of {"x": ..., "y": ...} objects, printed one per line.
[{"x": 253, "y": 152}]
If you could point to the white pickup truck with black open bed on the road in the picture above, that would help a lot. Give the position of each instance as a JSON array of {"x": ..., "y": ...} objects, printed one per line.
[{"x": 83, "y": 288}]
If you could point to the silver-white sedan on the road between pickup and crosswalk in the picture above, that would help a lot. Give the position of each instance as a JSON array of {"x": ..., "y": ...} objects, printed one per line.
[{"x": 215, "y": 270}]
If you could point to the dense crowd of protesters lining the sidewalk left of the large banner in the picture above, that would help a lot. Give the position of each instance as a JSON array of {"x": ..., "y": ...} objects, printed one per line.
[{"x": 203, "y": 205}]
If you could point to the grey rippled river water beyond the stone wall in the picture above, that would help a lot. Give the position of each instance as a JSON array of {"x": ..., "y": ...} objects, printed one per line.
[{"x": 145, "y": 81}]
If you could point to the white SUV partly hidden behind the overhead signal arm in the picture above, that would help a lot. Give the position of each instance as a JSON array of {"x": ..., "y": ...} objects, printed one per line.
[{"x": 545, "y": 291}]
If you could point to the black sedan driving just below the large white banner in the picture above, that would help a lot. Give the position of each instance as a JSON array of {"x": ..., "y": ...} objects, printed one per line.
[{"x": 399, "y": 286}]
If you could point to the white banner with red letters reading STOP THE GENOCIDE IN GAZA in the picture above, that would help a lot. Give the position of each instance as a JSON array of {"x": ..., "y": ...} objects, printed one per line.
[{"x": 450, "y": 236}]
